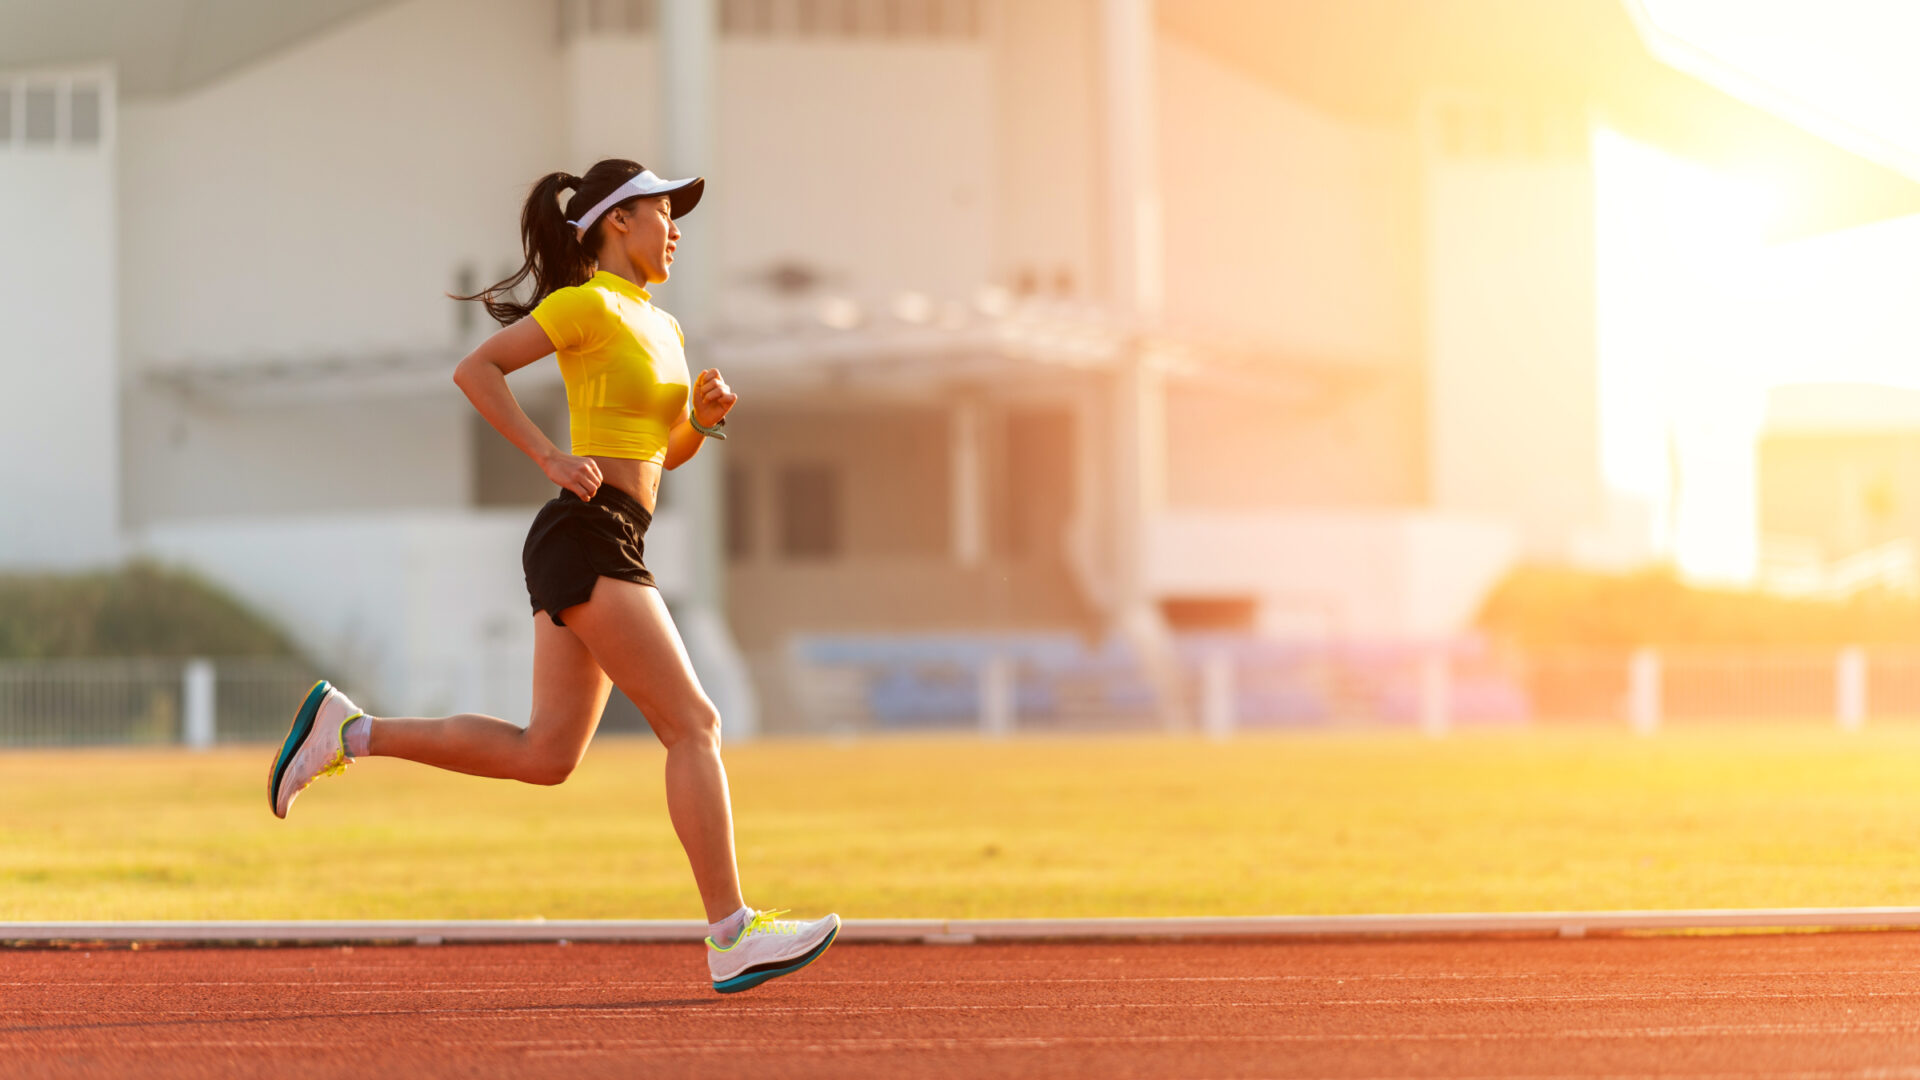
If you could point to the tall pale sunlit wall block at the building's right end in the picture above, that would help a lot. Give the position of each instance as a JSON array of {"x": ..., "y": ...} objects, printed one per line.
[{"x": 1510, "y": 278}]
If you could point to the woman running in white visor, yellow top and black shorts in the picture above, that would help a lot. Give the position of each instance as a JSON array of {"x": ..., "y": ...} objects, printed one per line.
[{"x": 598, "y": 620}]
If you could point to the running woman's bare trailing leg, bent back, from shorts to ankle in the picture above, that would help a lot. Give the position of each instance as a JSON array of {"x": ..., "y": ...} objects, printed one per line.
[{"x": 569, "y": 699}]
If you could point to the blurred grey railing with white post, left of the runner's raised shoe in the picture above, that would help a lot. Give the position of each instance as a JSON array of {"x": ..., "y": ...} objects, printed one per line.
[{"x": 149, "y": 702}]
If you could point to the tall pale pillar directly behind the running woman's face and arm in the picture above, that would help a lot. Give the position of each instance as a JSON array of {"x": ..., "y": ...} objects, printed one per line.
[{"x": 690, "y": 36}]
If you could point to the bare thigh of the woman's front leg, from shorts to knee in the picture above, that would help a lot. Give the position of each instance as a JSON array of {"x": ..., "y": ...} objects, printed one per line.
[{"x": 631, "y": 633}]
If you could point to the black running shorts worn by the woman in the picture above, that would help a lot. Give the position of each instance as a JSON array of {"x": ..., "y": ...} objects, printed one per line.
[{"x": 577, "y": 543}]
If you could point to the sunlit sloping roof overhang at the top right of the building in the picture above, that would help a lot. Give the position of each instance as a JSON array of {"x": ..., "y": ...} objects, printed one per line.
[{"x": 1378, "y": 61}]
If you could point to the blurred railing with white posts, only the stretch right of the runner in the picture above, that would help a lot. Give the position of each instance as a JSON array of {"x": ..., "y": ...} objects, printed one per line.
[{"x": 1237, "y": 683}]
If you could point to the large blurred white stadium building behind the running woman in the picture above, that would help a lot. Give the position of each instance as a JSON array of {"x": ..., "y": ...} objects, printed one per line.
[{"x": 1047, "y": 316}]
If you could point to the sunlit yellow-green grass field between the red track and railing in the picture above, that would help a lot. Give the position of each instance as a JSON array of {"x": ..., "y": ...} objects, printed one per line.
[{"x": 957, "y": 827}]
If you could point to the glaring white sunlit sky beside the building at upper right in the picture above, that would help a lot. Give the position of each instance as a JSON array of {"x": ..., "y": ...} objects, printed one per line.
[{"x": 1700, "y": 316}]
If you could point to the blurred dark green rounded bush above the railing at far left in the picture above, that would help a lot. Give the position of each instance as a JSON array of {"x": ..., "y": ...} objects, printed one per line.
[{"x": 133, "y": 612}]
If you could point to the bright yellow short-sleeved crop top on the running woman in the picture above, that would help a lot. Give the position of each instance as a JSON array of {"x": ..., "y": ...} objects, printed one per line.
[{"x": 625, "y": 366}]
